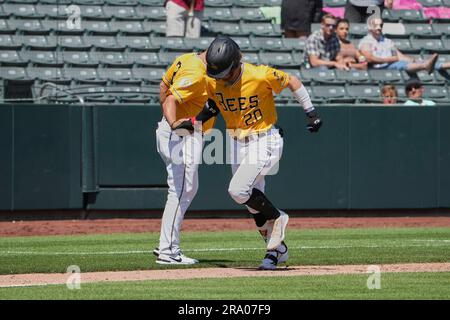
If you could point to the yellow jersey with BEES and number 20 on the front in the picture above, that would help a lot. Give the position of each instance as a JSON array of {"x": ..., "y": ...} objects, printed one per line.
[{"x": 247, "y": 105}]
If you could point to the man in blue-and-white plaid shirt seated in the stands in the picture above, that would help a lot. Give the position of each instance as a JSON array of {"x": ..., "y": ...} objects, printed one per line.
[{"x": 322, "y": 46}]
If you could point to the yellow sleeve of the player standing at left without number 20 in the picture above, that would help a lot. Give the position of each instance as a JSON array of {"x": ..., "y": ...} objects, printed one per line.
[{"x": 186, "y": 87}]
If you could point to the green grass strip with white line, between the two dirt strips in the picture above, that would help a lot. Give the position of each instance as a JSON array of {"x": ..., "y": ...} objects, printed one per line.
[{"x": 224, "y": 249}]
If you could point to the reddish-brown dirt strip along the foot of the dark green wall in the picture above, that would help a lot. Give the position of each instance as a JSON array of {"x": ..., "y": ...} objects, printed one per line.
[{"x": 106, "y": 226}]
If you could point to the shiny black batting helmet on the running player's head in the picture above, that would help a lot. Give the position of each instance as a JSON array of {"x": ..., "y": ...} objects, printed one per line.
[{"x": 222, "y": 56}]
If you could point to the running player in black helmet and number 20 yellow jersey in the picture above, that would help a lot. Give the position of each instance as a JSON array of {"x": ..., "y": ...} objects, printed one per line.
[{"x": 243, "y": 94}]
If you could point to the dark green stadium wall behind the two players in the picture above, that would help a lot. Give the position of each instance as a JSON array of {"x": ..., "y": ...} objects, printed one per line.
[{"x": 104, "y": 157}]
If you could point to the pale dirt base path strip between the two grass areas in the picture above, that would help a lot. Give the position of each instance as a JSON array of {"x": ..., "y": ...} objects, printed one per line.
[{"x": 20, "y": 280}]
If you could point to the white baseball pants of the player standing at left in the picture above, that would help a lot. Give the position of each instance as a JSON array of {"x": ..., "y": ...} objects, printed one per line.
[{"x": 182, "y": 156}]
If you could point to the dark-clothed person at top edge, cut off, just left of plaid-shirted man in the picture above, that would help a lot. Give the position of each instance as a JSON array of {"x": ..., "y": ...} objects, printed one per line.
[{"x": 298, "y": 15}]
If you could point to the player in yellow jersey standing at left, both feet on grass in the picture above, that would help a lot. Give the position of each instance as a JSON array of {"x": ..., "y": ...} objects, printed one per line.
[{"x": 182, "y": 95}]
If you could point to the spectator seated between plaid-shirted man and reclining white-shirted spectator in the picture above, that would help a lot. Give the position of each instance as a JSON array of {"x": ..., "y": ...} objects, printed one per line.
[{"x": 348, "y": 53}]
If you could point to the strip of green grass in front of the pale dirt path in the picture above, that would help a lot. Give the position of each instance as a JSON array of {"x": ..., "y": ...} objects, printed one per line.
[{"x": 393, "y": 286}]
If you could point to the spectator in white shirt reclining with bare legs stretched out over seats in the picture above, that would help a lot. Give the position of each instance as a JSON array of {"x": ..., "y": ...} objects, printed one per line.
[{"x": 381, "y": 53}]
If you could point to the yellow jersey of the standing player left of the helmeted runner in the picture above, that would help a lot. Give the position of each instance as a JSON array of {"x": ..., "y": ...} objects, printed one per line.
[{"x": 186, "y": 79}]
